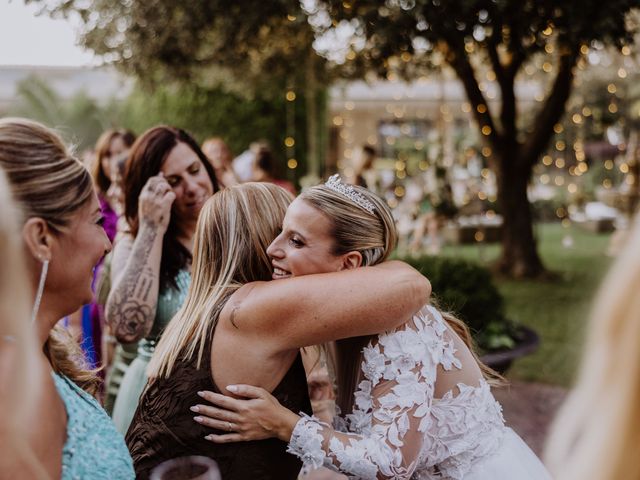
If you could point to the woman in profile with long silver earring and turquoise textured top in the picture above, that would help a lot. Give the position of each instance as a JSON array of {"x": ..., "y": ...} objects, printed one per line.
[{"x": 63, "y": 238}]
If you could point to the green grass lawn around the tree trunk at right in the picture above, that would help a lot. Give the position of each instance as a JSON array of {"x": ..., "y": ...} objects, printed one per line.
[{"x": 555, "y": 309}]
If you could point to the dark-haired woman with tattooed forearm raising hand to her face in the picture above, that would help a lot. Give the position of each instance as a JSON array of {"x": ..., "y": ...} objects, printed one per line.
[{"x": 168, "y": 180}]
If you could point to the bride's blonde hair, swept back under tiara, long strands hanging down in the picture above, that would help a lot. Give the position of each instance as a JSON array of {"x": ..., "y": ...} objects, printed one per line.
[{"x": 374, "y": 236}]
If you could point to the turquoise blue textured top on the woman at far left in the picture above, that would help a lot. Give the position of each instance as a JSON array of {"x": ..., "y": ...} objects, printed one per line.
[{"x": 94, "y": 449}]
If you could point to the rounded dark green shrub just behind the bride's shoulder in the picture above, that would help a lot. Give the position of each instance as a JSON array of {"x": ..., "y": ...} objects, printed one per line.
[{"x": 467, "y": 289}]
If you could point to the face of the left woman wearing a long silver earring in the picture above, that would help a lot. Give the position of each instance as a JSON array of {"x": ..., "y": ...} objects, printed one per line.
[{"x": 75, "y": 253}]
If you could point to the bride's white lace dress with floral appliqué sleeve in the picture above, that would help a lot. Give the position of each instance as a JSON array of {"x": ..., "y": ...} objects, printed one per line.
[{"x": 398, "y": 430}]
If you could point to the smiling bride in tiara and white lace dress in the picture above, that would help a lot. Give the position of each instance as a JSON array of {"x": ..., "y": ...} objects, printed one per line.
[{"x": 419, "y": 399}]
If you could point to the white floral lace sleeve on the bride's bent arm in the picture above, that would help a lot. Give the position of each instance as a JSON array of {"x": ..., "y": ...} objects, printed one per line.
[{"x": 391, "y": 416}]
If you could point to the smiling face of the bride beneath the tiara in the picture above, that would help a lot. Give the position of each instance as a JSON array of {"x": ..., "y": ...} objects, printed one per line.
[{"x": 305, "y": 244}]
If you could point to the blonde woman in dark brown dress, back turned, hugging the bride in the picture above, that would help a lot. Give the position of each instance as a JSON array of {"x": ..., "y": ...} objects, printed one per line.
[{"x": 236, "y": 325}]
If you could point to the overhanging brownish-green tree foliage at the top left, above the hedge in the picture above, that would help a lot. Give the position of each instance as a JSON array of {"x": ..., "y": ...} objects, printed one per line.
[{"x": 198, "y": 41}]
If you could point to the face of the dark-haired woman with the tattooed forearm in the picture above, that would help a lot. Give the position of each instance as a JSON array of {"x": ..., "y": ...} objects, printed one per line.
[{"x": 189, "y": 180}]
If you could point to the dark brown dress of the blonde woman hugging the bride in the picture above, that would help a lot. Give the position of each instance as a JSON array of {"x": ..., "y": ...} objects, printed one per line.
[{"x": 163, "y": 427}]
